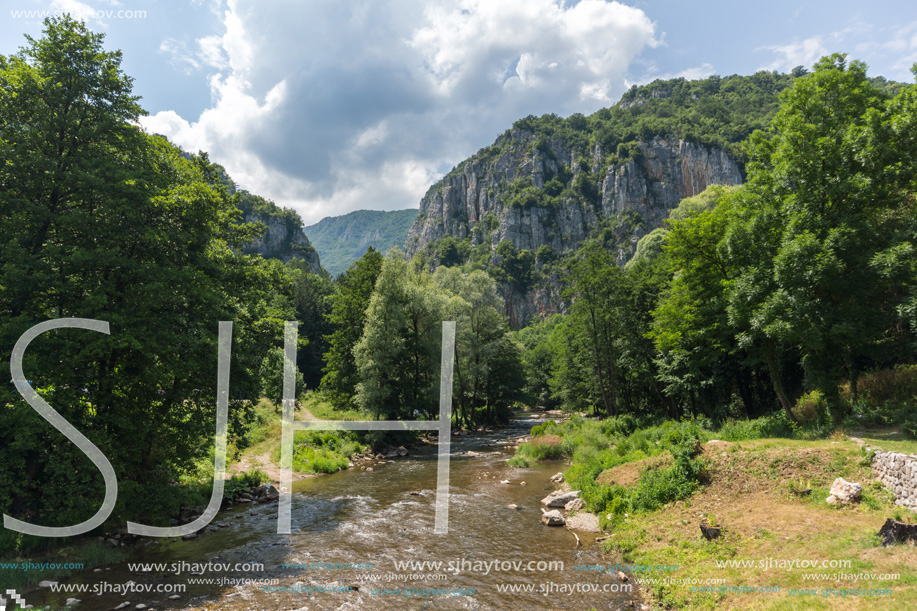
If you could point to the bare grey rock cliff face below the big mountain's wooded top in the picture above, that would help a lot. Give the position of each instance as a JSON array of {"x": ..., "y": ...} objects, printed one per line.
[{"x": 634, "y": 195}]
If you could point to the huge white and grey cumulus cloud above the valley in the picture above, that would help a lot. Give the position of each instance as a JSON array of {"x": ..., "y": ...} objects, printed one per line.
[{"x": 329, "y": 107}]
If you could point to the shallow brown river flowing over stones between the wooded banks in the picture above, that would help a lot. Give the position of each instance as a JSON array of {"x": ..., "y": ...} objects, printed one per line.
[{"x": 358, "y": 517}]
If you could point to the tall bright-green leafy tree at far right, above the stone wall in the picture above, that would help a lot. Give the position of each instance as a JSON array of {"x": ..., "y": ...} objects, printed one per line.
[{"x": 826, "y": 196}]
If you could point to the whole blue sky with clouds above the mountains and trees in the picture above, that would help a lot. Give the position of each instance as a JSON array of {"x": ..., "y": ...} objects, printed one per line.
[{"x": 330, "y": 106}]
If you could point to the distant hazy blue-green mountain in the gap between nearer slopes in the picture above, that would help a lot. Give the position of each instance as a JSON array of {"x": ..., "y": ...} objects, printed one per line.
[{"x": 341, "y": 240}]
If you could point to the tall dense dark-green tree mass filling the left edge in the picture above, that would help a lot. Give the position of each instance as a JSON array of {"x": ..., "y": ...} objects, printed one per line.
[{"x": 103, "y": 221}]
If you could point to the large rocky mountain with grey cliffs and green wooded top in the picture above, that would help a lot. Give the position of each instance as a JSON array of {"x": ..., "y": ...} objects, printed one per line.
[{"x": 548, "y": 183}]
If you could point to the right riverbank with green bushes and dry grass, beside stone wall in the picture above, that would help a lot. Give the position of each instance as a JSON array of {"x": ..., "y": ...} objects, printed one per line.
[{"x": 742, "y": 510}]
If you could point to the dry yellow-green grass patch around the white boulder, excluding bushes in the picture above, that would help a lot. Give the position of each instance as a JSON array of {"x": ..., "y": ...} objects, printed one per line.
[{"x": 750, "y": 488}]
